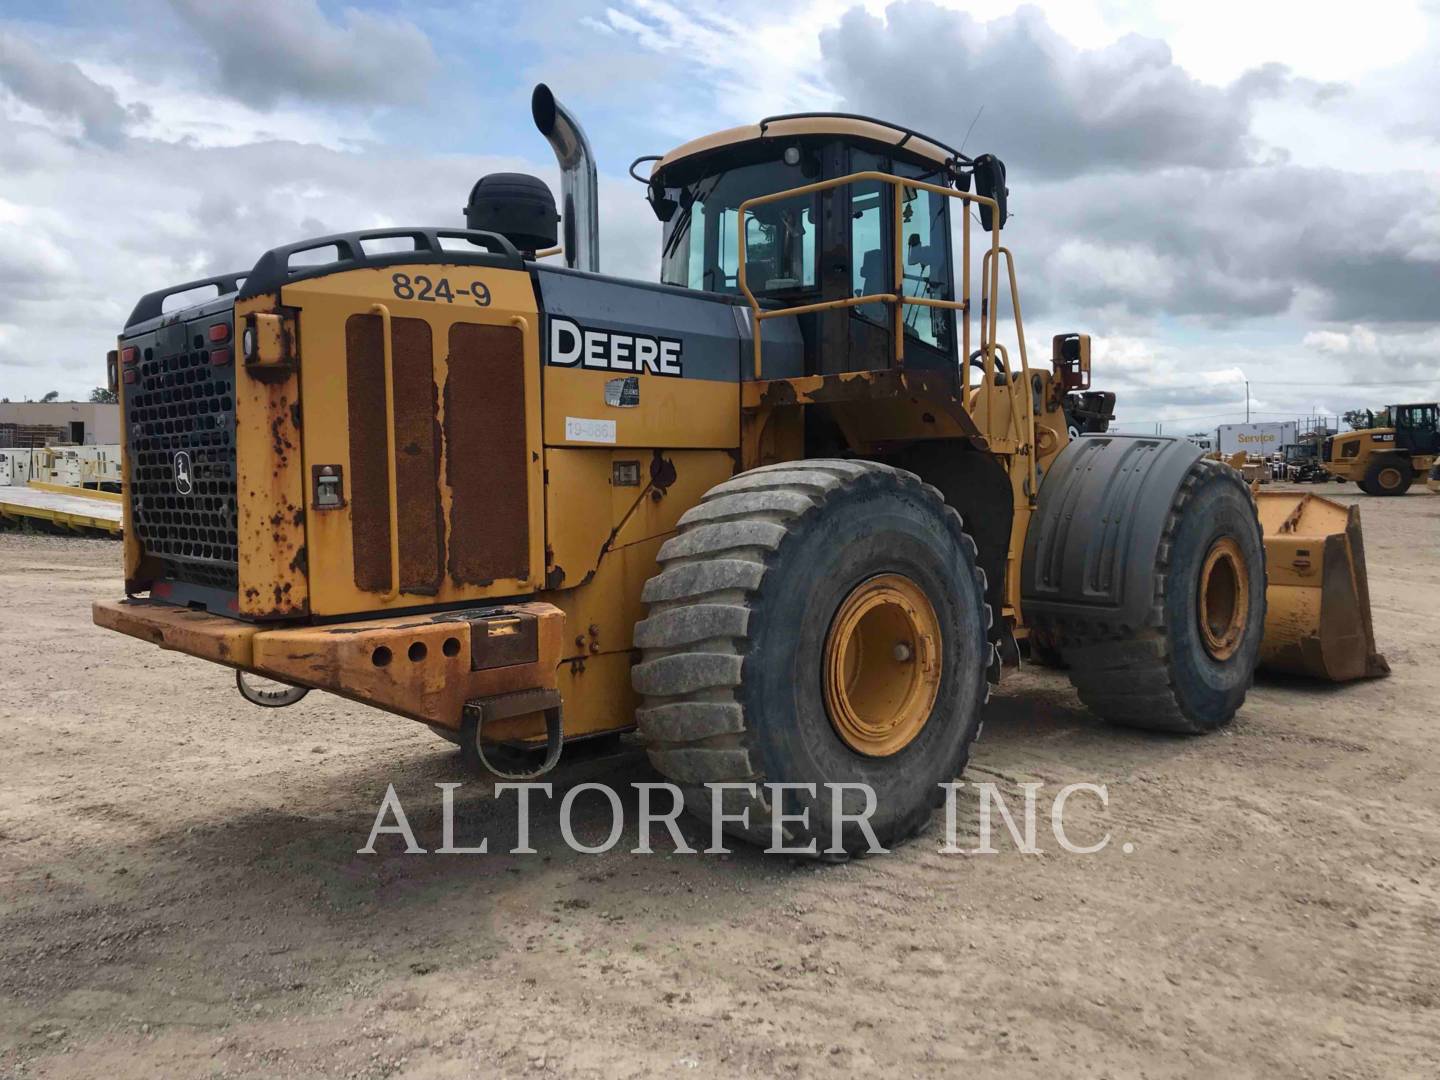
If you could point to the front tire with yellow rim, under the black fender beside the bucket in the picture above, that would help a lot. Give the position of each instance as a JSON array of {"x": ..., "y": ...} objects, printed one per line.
[{"x": 1190, "y": 669}]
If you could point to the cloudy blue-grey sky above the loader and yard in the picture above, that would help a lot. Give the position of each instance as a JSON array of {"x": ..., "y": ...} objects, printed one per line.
[{"x": 1242, "y": 191}]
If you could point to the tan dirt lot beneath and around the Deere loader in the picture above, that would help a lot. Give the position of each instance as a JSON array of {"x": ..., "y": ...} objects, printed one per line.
[{"x": 181, "y": 892}]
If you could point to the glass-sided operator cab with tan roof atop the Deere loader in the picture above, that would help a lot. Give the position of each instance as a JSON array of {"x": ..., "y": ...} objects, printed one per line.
[{"x": 822, "y": 246}]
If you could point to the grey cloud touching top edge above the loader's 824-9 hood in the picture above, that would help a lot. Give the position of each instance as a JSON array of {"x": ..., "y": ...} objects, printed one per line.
[{"x": 274, "y": 50}]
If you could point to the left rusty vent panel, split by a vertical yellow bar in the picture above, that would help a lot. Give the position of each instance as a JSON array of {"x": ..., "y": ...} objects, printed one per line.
[{"x": 417, "y": 446}]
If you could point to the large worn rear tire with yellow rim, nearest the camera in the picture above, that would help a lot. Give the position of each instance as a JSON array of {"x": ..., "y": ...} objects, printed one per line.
[{"x": 816, "y": 623}]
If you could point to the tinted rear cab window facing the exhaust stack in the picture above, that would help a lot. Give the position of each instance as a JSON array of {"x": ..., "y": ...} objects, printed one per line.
[{"x": 702, "y": 241}]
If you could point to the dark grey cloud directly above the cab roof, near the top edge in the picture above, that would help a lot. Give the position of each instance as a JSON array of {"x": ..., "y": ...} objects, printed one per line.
[{"x": 1050, "y": 109}]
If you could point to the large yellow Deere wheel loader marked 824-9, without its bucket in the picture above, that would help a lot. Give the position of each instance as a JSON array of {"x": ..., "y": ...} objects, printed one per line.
[{"x": 786, "y": 512}]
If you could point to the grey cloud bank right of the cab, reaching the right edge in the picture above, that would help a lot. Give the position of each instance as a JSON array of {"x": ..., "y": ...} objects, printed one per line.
[{"x": 1241, "y": 244}]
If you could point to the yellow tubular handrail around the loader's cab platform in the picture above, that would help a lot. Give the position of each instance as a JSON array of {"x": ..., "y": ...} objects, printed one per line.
[{"x": 990, "y": 283}]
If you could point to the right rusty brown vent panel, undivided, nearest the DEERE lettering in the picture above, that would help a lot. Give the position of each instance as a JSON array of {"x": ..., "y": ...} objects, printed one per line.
[{"x": 487, "y": 454}]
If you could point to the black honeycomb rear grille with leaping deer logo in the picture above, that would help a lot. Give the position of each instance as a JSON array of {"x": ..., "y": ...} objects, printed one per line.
[{"x": 182, "y": 413}]
